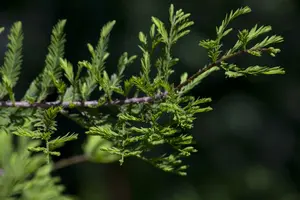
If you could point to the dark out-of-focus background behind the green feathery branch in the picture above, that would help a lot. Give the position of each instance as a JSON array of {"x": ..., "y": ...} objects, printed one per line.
[{"x": 248, "y": 145}]
